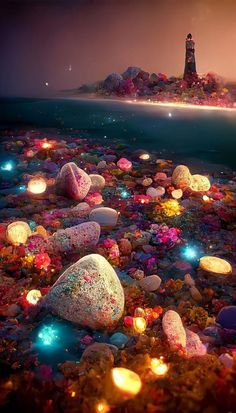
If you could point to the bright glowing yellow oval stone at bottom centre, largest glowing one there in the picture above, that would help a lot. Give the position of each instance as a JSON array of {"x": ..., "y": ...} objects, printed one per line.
[{"x": 127, "y": 381}]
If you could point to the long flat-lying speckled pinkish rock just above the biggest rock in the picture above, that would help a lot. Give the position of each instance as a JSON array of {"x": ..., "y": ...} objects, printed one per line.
[{"x": 75, "y": 238}]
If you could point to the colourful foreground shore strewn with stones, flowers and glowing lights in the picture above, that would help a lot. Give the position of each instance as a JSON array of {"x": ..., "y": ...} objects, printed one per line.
[{"x": 177, "y": 330}]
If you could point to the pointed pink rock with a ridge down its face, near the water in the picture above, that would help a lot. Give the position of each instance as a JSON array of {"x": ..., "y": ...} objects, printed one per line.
[{"x": 73, "y": 181}]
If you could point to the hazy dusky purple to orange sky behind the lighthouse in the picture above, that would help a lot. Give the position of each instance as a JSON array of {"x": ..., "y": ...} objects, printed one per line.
[{"x": 41, "y": 39}]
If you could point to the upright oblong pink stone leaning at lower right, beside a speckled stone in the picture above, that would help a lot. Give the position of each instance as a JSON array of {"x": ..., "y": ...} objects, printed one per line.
[{"x": 174, "y": 330}]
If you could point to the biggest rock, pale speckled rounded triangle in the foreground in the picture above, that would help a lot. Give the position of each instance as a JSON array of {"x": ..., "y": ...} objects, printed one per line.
[{"x": 88, "y": 293}]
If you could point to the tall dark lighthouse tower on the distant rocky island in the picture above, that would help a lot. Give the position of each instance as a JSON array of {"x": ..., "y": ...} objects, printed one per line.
[{"x": 190, "y": 72}]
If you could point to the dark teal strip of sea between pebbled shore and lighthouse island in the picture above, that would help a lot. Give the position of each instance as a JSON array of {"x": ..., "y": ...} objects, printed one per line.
[{"x": 205, "y": 139}]
